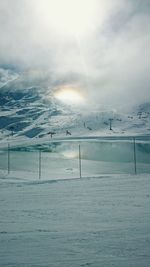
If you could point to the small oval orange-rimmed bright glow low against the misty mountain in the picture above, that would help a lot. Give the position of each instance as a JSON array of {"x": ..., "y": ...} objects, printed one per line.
[{"x": 69, "y": 95}]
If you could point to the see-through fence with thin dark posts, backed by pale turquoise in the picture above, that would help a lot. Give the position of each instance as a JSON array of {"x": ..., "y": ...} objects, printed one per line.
[{"x": 72, "y": 159}]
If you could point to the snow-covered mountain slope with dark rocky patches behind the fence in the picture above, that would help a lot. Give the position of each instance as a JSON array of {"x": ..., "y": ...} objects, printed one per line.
[{"x": 31, "y": 111}]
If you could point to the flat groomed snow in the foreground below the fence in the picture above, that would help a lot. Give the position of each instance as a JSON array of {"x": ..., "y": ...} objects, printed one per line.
[{"x": 103, "y": 221}]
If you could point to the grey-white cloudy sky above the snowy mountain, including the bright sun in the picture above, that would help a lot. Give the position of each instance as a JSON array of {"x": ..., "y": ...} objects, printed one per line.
[{"x": 100, "y": 46}]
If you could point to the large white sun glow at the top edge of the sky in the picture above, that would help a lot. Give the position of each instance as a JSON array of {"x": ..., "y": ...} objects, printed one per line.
[{"x": 69, "y": 17}]
